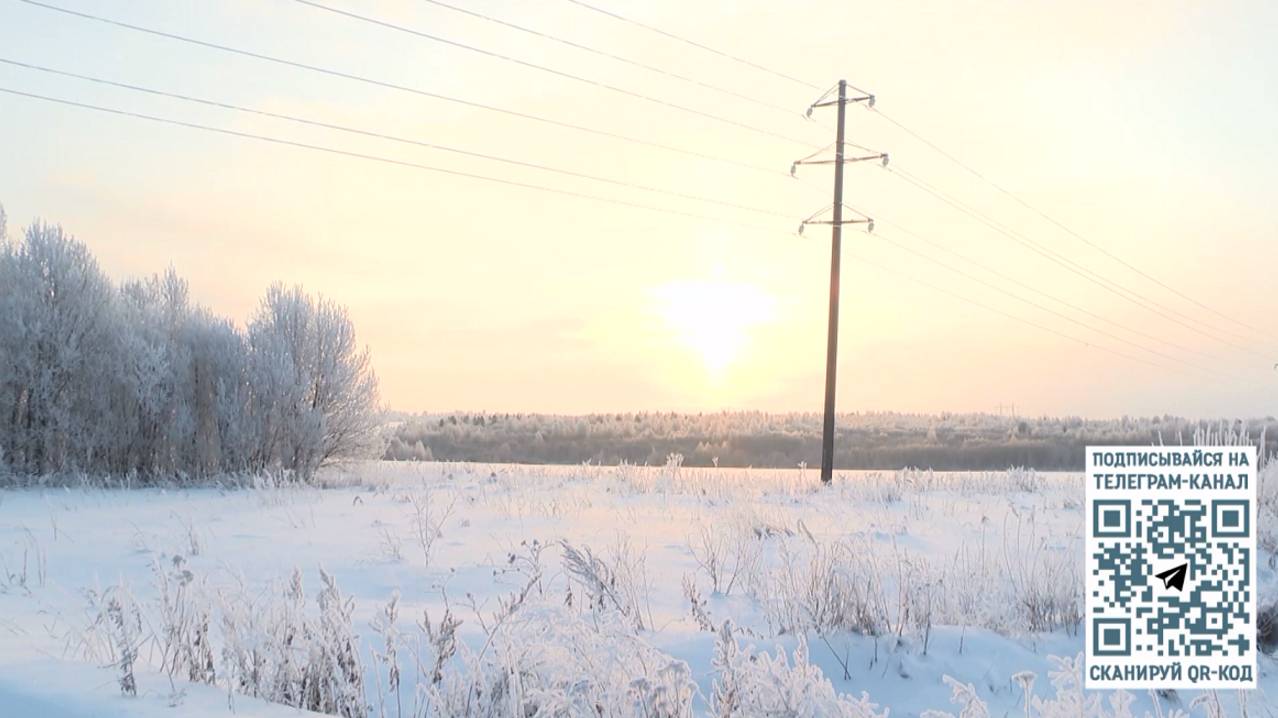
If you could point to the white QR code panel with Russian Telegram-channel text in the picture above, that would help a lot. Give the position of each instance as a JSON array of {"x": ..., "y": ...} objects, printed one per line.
[{"x": 1171, "y": 583}]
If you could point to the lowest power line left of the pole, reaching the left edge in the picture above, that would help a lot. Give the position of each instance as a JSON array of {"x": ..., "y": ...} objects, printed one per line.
[{"x": 380, "y": 159}]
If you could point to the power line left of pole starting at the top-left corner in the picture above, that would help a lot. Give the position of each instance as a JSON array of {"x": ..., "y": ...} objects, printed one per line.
[{"x": 410, "y": 90}]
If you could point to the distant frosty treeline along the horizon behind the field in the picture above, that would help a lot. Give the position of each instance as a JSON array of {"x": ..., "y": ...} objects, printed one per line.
[{"x": 751, "y": 439}]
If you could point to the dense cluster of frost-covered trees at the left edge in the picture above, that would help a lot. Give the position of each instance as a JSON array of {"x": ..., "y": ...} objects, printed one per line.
[{"x": 137, "y": 380}]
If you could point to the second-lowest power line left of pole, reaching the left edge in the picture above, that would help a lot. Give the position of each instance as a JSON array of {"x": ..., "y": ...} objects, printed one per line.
[{"x": 393, "y": 139}]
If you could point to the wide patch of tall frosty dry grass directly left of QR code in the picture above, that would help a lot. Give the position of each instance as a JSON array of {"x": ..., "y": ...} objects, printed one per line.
[{"x": 862, "y": 587}]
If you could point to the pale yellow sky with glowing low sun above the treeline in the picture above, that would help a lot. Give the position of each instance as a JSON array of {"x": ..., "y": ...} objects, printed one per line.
[{"x": 1148, "y": 128}]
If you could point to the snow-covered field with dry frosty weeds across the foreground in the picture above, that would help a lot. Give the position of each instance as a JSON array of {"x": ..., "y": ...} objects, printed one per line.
[{"x": 557, "y": 591}]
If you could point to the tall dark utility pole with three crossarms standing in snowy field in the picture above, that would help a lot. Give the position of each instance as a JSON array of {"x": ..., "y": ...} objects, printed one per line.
[{"x": 836, "y": 232}]
